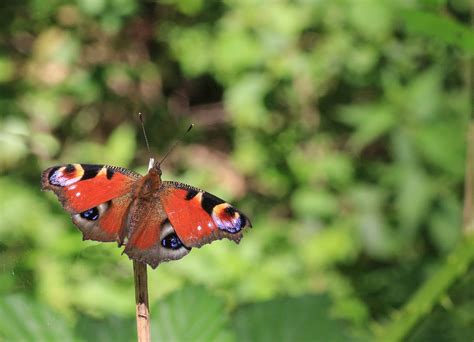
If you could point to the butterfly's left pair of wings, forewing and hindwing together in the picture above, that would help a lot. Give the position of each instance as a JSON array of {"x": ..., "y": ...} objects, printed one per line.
[{"x": 96, "y": 196}]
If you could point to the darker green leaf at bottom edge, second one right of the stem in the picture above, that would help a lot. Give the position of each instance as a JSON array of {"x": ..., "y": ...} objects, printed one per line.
[{"x": 305, "y": 318}]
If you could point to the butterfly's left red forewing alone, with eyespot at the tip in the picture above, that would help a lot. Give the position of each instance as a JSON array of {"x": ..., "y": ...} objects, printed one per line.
[{"x": 82, "y": 186}]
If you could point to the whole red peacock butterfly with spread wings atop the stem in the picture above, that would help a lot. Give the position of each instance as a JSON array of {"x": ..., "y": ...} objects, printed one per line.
[{"x": 155, "y": 220}]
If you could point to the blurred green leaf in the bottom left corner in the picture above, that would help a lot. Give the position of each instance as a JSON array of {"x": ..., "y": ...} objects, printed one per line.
[{"x": 22, "y": 319}]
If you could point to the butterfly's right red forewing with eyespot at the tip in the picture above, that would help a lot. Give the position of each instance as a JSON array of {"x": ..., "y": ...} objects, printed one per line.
[{"x": 199, "y": 217}]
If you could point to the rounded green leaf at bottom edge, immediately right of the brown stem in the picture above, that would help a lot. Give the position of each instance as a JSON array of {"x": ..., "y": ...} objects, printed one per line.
[{"x": 191, "y": 314}]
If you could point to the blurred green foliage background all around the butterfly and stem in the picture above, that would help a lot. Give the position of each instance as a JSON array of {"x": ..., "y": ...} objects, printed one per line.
[{"x": 338, "y": 127}]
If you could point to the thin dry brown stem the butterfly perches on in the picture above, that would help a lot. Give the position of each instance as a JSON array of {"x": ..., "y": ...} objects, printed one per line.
[{"x": 141, "y": 301}]
